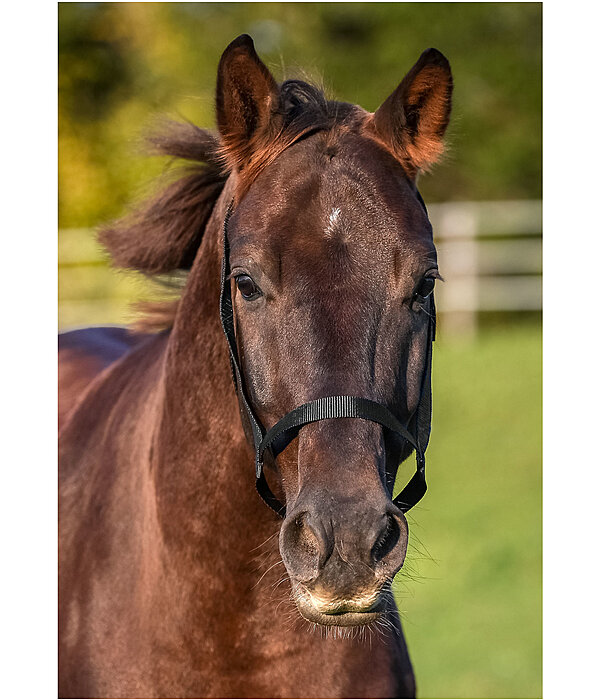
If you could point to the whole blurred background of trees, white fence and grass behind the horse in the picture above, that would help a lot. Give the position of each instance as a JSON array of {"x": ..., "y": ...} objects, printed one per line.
[{"x": 470, "y": 592}]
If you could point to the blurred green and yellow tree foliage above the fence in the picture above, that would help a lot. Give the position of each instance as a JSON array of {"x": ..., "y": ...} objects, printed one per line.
[{"x": 122, "y": 64}]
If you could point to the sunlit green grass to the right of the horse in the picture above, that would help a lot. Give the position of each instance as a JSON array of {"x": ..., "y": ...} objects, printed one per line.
[{"x": 471, "y": 590}]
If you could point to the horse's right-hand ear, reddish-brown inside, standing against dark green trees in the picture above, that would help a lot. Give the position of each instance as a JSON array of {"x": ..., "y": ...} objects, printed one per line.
[{"x": 413, "y": 119}]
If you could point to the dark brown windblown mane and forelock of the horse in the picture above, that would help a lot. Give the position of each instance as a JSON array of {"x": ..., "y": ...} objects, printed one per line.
[{"x": 163, "y": 234}]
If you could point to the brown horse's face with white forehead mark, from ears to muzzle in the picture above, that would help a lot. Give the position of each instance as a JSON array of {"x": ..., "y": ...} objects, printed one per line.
[{"x": 331, "y": 253}]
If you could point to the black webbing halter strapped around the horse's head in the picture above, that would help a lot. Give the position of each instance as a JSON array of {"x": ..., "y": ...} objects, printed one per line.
[{"x": 278, "y": 437}]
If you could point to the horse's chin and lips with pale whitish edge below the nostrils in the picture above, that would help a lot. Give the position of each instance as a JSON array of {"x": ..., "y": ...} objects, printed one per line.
[{"x": 338, "y": 614}]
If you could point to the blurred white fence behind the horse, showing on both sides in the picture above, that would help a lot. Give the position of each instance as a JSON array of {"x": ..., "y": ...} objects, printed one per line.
[{"x": 490, "y": 255}]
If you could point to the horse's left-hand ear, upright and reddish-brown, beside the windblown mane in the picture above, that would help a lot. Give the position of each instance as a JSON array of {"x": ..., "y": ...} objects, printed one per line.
[{"x": 247, "y": 102}]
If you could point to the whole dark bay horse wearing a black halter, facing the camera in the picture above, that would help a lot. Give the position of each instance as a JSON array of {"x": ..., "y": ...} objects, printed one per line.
[{"x": 306, "y": 306}]
